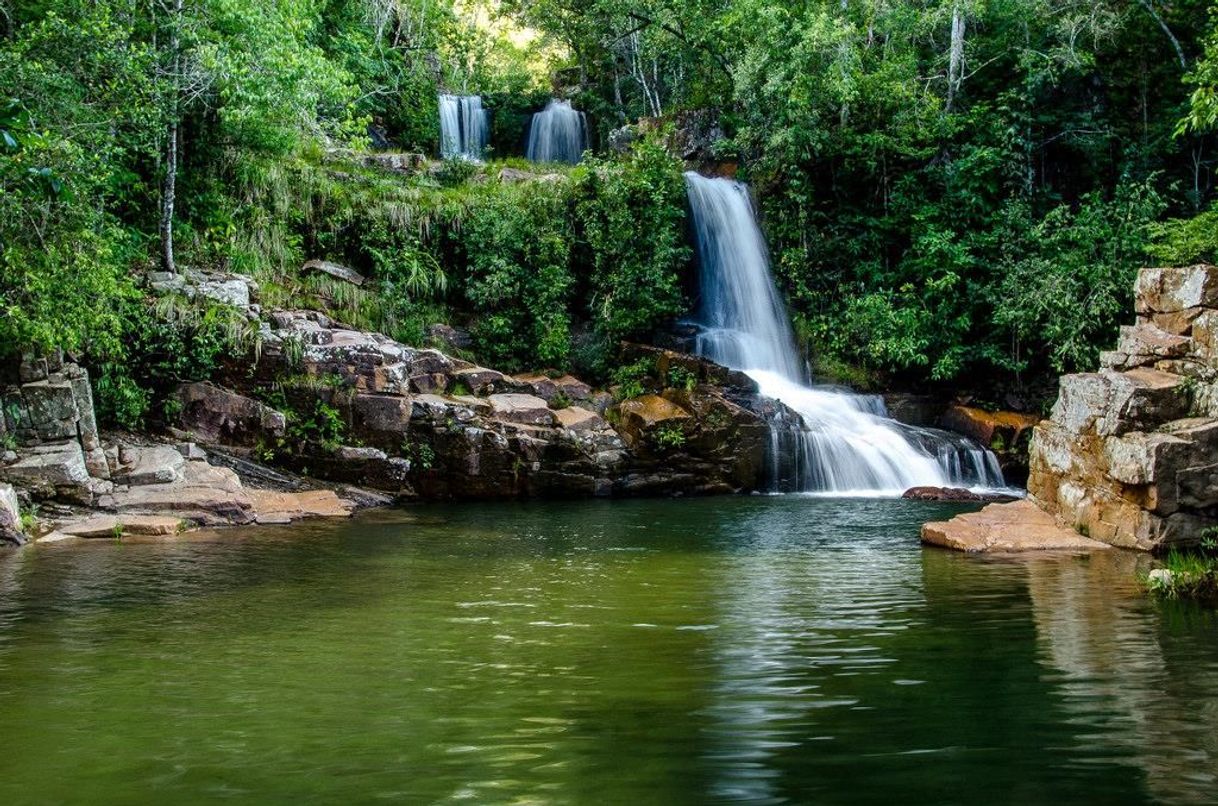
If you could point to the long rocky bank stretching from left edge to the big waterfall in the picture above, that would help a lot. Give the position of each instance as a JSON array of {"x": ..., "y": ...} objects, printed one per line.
[{"x": 329, "y": 417}]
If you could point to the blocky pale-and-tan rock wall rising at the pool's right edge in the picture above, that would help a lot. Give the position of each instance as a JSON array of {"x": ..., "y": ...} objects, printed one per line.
[{"x": 1130, "y": 455}]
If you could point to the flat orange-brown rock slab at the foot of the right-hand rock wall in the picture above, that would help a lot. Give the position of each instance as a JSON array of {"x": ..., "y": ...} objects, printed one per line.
[{"x": 1019, "y": 527}]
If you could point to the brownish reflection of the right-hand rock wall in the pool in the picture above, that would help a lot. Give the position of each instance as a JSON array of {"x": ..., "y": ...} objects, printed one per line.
[{"x": 1128, "y": 682}]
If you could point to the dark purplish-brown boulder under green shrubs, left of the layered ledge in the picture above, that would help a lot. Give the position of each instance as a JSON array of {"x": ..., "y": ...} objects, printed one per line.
[{"x": 216, "y": 416}]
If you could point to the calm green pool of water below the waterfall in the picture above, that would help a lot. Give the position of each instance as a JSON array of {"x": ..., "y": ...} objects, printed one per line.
[{"x": 671, "y": 652}]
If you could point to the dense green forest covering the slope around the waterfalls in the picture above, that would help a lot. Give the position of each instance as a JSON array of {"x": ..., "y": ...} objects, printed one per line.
[{"x": 954, "y": 192}]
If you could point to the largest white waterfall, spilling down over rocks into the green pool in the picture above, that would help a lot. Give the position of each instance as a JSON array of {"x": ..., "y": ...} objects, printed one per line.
[{"x": 845, "y": 444}]
